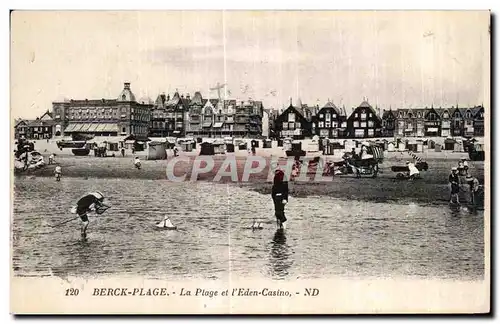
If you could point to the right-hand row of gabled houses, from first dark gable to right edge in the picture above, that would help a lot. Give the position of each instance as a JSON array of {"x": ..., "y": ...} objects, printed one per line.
[{"x": 365, "y": 121}]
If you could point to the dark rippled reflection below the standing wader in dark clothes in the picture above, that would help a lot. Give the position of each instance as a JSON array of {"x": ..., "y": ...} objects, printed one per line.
[{"x": 279, "y": 259}]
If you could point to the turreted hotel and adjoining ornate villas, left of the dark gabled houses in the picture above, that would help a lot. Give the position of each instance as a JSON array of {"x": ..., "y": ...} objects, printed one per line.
[{"x": 177, "y": 116}]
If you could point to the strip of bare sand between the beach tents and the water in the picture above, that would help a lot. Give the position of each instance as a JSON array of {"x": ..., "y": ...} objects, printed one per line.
[{"x": 431, "y": 189}]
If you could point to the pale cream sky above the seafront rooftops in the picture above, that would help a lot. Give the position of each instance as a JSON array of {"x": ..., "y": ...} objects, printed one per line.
[{"x": 393, "y": 59}]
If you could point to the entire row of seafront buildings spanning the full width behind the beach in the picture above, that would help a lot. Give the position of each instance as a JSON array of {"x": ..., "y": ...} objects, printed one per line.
[{"x": 180, "y": 116}]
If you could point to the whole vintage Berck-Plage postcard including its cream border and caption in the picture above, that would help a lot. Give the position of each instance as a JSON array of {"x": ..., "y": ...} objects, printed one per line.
[{"x": 250, "y": 162}]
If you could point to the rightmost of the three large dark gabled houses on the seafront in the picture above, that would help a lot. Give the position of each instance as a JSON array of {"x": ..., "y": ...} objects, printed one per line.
[{"x": 364, "y": 122}]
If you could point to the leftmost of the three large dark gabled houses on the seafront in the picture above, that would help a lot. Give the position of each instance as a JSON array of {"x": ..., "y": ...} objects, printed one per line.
[{"x": 291, "y": 123}]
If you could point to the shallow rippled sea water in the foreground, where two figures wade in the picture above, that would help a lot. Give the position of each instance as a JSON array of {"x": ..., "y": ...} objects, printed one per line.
[{"x": 325, "y": 237}]
